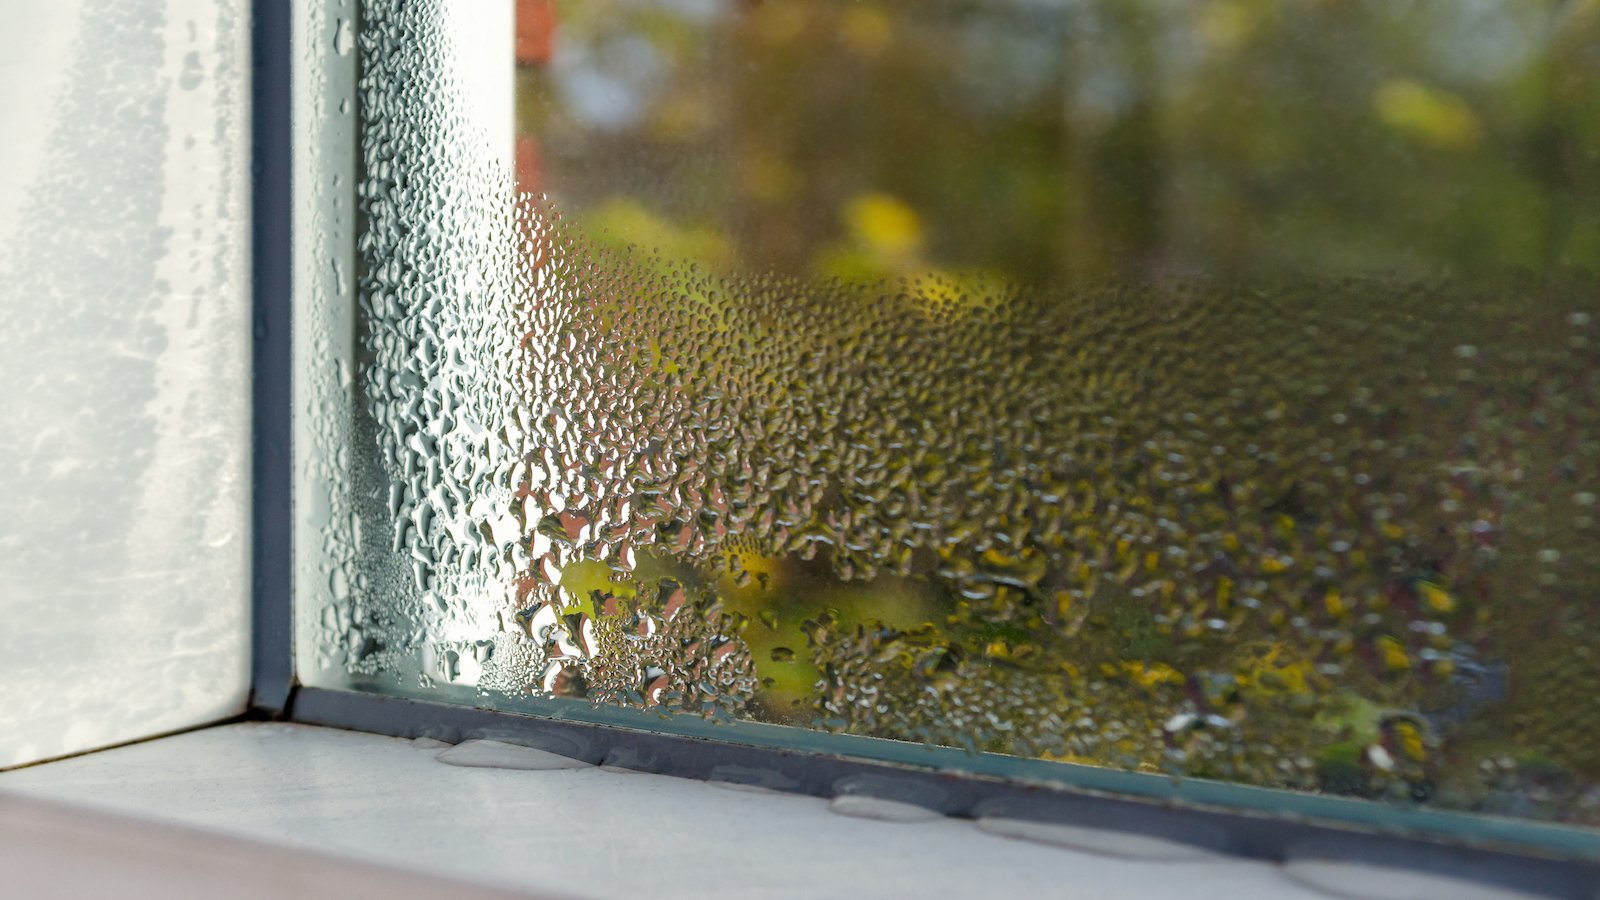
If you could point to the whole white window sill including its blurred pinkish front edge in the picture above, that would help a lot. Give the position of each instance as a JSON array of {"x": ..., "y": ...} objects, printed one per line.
[{"x": 295, "y": 810}]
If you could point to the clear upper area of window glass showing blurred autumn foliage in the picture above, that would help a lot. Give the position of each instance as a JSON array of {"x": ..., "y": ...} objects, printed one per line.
[{"x": 1073, "y": 139}]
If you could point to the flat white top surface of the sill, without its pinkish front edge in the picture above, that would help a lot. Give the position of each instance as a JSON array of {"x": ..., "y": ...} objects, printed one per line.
[{"x": 586, "y": 832}]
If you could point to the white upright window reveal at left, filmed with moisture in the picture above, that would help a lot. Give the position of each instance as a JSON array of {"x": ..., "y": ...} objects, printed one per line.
[{"x": 124, "y": 372}]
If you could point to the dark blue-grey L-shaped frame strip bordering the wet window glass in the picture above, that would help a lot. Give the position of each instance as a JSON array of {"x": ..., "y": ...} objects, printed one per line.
[{"x": 297, "y": 159}]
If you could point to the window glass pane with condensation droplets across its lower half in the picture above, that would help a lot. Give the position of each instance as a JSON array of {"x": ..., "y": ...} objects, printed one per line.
[{"x": 1191, "y": 388}]
